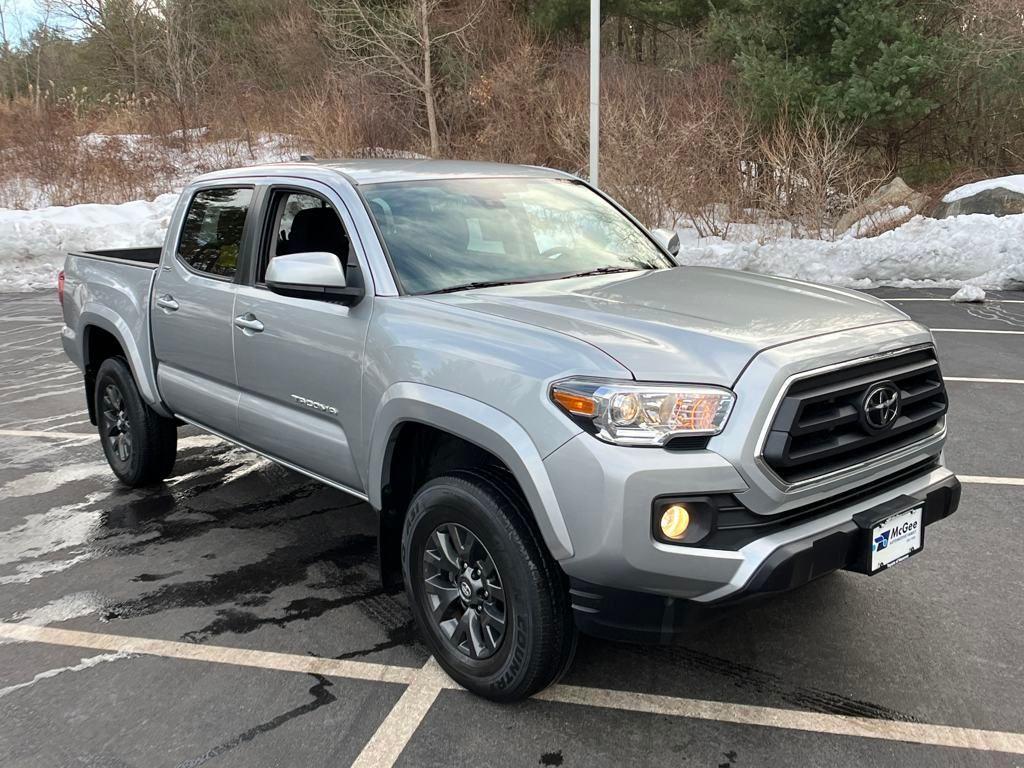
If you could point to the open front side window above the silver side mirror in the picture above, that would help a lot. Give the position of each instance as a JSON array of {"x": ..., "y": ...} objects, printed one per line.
[{"x": 304, "y": 223}]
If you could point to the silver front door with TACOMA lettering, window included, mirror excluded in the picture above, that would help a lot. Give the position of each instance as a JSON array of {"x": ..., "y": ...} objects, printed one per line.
[{"x": 298, "y": 362}]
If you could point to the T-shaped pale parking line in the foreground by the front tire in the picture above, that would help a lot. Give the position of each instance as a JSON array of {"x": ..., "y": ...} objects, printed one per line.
[{"x": 424, "y": 686}]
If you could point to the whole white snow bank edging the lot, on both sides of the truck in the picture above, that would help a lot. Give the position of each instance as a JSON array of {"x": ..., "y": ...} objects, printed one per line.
[{"x": 978, "y": 250}]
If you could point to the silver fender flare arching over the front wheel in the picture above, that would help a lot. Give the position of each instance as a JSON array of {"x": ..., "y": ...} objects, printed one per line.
[{"x": 482, "y": 425}]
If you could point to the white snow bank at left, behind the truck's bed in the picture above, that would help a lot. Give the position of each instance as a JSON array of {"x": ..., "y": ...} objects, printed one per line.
[{"x": 33, "y": 244}]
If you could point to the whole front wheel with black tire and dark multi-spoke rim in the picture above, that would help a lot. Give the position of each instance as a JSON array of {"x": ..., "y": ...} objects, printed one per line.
[{"x": 504, "y": 557}]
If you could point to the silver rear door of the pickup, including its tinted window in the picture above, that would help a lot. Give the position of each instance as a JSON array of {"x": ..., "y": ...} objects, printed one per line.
[{"x": 193, "y": 307}]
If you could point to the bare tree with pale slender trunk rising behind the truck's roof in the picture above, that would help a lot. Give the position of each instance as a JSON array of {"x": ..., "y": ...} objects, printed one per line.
[{"x": 395, "y": 42}]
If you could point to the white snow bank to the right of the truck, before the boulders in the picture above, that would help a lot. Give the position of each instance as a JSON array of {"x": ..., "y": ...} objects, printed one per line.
[{"x": 987, "y": 251}]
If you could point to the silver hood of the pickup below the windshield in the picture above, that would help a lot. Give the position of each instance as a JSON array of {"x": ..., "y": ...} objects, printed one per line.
[{"x": 682, "y": 325}]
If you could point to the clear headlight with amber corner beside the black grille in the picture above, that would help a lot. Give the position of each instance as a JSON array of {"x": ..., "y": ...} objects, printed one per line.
[{"x": 631, "y": 414}]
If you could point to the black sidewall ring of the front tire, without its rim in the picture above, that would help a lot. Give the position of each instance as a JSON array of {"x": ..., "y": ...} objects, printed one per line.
[{"x": 442, "y": 502}]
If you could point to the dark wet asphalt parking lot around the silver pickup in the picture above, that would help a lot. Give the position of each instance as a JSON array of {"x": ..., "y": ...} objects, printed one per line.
[{"x": 234, "y": 616}]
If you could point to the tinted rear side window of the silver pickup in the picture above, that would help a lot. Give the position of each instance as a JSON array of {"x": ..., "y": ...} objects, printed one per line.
[{"x": 211, "y": 236}]
